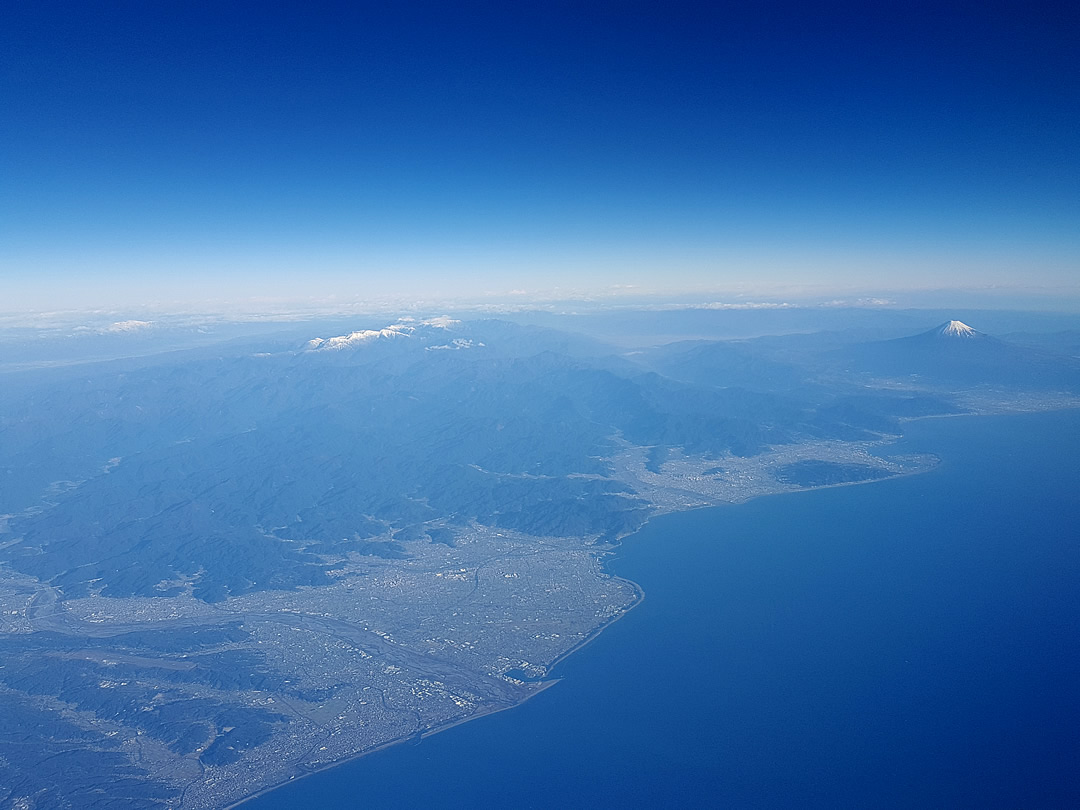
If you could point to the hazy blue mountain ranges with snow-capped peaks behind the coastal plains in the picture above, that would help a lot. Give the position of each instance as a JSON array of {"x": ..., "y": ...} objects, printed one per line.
[{"x": 233, "y": 474}]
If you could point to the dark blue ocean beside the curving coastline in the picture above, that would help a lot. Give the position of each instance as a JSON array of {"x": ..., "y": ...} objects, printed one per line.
[{"x": 913, "y": 644}]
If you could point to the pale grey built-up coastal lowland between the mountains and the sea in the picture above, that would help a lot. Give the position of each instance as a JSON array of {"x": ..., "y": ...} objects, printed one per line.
[{"x": 281, "y": 684}]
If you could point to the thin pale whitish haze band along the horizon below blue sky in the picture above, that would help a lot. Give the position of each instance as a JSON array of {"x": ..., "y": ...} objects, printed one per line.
[{"x": 62, "y": 304}]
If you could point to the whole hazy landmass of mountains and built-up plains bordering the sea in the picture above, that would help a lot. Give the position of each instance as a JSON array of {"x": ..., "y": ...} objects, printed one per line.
[{"x": 402, "y": 518}]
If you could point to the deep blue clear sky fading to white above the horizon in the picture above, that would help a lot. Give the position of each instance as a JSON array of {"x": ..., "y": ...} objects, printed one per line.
[{"x": 178, "y": 152}]
